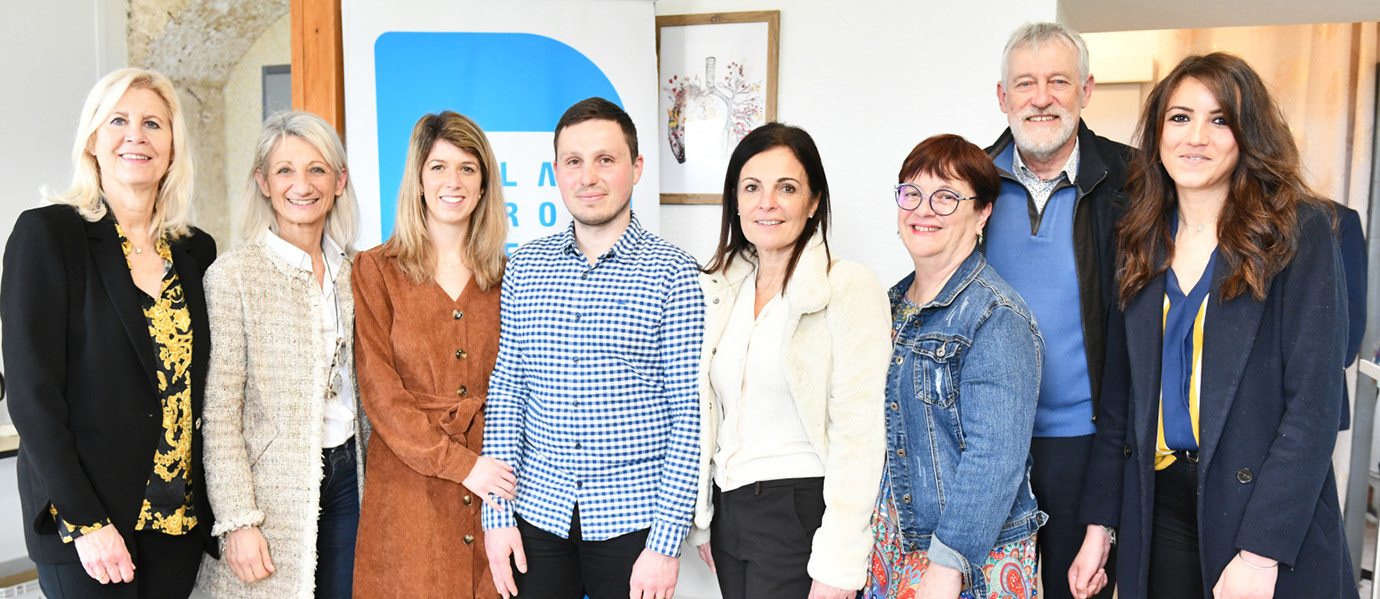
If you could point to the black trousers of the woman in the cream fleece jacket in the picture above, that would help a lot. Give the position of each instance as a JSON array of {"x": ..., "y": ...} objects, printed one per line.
[{"x": 761, "y": 538}]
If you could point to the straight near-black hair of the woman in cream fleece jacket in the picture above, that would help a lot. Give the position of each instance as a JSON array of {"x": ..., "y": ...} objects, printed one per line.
[{"x": 733, "y": 244}]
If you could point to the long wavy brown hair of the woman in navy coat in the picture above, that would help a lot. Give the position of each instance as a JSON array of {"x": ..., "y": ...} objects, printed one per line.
[{"x": 1258, "y": 230}]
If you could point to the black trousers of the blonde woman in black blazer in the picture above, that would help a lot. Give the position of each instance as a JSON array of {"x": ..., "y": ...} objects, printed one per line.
[{"x": 165, "y": 569}]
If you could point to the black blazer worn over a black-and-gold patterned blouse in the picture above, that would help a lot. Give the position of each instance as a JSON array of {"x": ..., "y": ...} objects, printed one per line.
[{"x": 81, "y": 371}]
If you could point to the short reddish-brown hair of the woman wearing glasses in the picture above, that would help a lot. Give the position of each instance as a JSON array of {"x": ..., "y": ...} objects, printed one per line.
[{"x": 956, "y": 159}]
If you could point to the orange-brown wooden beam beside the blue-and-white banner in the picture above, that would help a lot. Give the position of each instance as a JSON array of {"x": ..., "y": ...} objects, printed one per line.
[{"x": 318, "y": 61}]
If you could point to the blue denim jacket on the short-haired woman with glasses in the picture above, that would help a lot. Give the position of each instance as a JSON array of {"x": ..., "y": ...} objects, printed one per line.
[{"x": 961, "y": 405}]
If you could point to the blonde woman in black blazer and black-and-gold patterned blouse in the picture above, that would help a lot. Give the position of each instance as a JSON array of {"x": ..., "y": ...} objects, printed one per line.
[{"x": 106, "y": 348}]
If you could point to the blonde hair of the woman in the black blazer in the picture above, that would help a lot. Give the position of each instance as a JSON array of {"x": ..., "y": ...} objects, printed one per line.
[{"x": 173, "y": 206}]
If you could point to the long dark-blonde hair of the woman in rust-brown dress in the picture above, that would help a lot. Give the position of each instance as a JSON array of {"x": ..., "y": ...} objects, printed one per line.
[{"x": 411, "y": 244}]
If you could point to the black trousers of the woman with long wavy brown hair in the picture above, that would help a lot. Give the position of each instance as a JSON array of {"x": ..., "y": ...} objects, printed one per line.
[{"x": 1175, "y": 569}]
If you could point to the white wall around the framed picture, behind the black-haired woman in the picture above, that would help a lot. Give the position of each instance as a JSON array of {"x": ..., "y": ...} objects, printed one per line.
[{"x": 867, "y": 81}]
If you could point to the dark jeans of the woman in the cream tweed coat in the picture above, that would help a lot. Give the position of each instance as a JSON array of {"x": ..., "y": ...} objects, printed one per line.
[{"x": 339, "y": 524}]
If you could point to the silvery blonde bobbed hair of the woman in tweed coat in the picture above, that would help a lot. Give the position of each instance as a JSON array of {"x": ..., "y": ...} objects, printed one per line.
[{"x": 257, "y": 217}]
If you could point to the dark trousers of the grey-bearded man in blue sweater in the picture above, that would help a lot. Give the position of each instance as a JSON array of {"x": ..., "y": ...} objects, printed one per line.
[{"x": 1058, "y": 481}]
